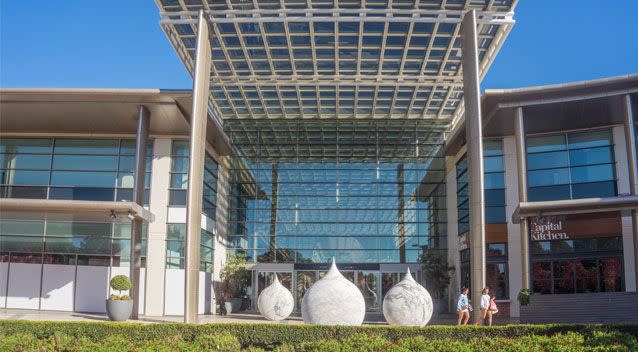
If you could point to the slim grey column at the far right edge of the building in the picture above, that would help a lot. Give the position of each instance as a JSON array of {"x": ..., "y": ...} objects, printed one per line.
[{"x": 632, "y": 163}]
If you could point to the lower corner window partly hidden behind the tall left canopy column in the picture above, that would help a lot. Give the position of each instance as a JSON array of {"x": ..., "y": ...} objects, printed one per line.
[{"x": 175, "y": 242}]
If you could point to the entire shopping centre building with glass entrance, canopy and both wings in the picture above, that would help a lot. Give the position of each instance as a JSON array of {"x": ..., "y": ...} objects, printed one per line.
[{"x": 315, "y": 131}]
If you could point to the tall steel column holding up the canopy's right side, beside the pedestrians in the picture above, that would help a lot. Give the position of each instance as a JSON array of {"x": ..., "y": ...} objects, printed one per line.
[{"x": 474, "y": 138}]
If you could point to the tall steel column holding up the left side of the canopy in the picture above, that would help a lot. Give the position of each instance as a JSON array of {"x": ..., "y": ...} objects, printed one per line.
[{"x": 201, "y": 85}]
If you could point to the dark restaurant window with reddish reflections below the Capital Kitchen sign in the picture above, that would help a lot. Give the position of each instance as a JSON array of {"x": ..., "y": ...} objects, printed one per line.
[{"x": 577, "y": 266}]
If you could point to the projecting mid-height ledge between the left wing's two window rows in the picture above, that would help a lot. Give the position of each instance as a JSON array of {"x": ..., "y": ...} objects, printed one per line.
[{"x": 98, "y": 208}]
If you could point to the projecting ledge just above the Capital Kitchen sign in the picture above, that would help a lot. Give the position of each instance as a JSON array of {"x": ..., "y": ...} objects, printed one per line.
[{"x": 573, "y": 206}]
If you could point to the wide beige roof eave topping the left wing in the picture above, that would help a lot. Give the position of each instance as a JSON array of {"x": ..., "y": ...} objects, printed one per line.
[{"x": 100, "y": 112}]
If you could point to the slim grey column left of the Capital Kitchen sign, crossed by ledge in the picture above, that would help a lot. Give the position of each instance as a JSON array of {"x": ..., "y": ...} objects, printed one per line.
[{"x": 521, "y": 163}]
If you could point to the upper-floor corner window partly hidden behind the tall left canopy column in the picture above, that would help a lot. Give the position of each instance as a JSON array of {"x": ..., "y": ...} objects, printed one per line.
[{"x": 179, "y": 178}]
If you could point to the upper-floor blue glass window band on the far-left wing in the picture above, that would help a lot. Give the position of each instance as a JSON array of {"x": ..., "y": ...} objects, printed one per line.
[{"x": 62, "y": 168}]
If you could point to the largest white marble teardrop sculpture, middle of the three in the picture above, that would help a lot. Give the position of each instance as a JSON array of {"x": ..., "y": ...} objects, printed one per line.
[{"x": 333, "y": 300}]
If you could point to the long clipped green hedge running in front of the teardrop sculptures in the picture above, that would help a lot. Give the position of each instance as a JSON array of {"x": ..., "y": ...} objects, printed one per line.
[{"x": 270, "y": 335}]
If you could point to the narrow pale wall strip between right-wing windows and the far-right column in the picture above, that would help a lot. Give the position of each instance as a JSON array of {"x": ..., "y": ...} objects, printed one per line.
[{"x": 622, "y": 175}]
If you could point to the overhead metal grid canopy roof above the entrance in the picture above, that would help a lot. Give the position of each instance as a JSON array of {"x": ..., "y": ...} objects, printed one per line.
[{"x": 336, "y": 59}]
